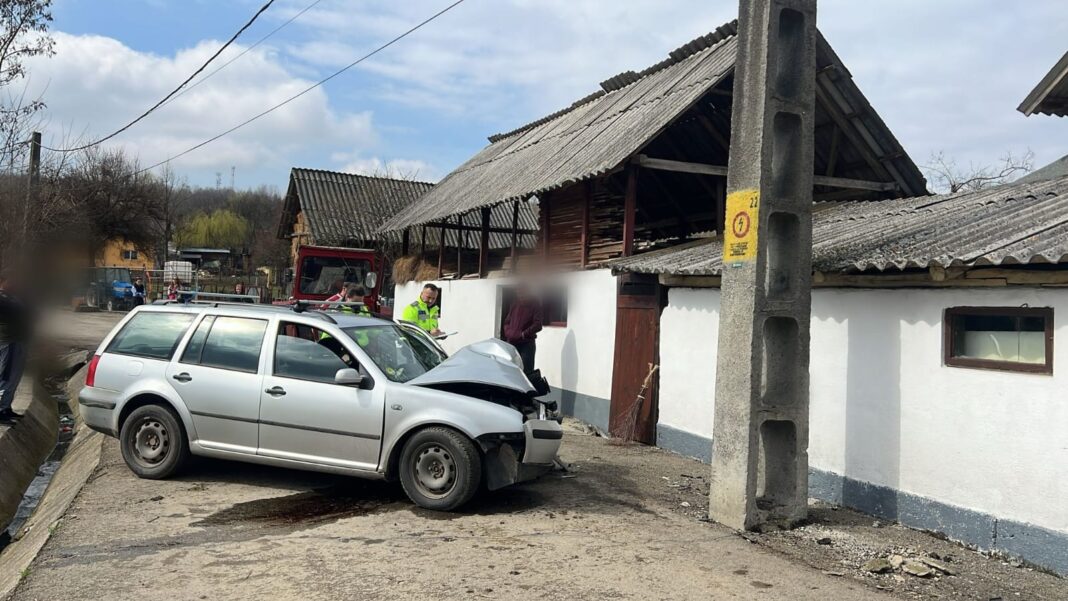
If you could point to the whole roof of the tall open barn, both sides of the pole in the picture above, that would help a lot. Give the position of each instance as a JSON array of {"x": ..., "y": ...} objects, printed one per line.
[{"x": 601, "y": 132}]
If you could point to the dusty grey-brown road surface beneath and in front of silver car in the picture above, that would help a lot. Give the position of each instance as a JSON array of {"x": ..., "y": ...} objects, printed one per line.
[{"x": 230, "y": 531}]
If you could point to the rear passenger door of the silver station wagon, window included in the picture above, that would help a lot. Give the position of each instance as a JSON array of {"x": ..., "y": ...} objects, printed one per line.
[{"x": 219, "y": 379}]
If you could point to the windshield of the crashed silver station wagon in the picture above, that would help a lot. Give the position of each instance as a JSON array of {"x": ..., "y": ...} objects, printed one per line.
[{"x": 401, "y": 355}]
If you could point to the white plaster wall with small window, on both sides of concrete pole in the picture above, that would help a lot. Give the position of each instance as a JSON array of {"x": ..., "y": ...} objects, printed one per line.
[{"x": 884, "y": 408}]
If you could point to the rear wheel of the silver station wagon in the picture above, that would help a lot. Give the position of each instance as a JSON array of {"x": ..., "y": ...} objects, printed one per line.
[{"x": 153, "y": 442}]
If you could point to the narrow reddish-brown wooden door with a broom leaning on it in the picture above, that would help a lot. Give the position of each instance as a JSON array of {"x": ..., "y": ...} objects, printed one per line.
[{"x": 637, "y": 353}]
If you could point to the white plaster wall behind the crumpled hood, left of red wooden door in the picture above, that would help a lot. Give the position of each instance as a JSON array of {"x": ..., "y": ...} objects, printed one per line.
[{"x": 577, "y": 358}]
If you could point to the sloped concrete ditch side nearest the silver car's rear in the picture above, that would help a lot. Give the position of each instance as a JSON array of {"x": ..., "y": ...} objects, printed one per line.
[{"x": 82, "y": 460}]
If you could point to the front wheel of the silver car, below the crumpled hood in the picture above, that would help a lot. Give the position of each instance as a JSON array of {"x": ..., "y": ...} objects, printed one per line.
[{"x": 441, "y": 469}]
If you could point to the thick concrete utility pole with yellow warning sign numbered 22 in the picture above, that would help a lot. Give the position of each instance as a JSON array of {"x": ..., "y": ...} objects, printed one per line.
[{"x": 761, "y": 437}]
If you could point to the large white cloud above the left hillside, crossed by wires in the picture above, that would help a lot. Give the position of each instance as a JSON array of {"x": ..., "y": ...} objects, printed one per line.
[{"x": 99, "y": 84}]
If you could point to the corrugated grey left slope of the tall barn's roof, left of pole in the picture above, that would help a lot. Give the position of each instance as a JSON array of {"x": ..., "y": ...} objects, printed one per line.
[{"x": 588, "y": 139}]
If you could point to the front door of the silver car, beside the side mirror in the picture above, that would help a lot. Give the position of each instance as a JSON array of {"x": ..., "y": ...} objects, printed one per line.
[{"x": 305, "y": 416}]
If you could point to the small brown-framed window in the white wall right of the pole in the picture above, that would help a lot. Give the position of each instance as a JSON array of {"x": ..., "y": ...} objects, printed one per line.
[{"x": 1000, "y": 338}]
